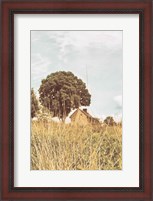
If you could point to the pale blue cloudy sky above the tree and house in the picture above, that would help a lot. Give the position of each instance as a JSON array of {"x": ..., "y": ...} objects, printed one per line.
[{"x": 94, "y": 56}]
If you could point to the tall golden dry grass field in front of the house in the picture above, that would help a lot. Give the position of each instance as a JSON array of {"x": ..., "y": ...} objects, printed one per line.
[{"x": 59, "y": 146}]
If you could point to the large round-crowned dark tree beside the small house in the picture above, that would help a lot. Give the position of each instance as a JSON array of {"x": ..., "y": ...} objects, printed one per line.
[{"x": 62, "y": 91}]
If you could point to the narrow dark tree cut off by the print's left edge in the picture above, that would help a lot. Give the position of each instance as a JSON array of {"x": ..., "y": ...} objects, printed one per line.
[{"x": 34, "y": 104}]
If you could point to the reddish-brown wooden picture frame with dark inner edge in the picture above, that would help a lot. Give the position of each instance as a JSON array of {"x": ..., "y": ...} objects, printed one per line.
[{"x": 11, "y": 7}]
